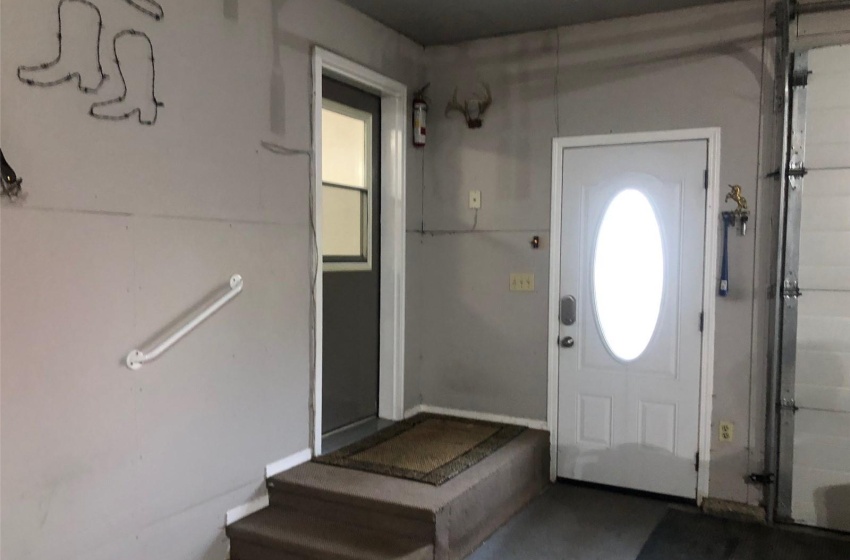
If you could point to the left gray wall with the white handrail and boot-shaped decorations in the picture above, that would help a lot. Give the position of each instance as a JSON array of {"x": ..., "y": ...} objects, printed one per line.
[{"x": 127, "y": 228}]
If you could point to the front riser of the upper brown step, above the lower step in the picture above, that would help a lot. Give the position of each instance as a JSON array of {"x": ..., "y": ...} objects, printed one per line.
[{"x": 395, "y": 521}]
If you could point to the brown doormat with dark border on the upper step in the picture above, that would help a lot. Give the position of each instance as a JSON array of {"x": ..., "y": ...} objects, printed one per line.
[{"x": 426, "y": 448}]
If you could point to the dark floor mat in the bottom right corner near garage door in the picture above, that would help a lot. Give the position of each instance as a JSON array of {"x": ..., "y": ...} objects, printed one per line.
[{"x": 683, "y": 535}]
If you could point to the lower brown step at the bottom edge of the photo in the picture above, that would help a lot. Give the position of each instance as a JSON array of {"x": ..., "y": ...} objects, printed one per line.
[{"x": 280, "y": 534}]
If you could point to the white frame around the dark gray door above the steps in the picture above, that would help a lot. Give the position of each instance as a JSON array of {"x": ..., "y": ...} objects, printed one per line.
[{"x": 393, "y": 226}]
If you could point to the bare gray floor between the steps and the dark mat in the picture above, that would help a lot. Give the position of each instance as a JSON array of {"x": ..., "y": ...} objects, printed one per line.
[{"x": 575, "y": 523}]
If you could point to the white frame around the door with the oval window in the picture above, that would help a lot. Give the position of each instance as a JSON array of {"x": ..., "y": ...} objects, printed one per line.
[{"x": 712, "y": 136}]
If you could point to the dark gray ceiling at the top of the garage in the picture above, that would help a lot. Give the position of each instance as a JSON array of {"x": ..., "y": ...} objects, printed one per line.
[{"x": 440, "y": 22}]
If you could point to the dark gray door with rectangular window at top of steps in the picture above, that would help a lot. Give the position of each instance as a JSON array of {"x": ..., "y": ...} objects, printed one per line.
[{"x": 351, "y": 233}]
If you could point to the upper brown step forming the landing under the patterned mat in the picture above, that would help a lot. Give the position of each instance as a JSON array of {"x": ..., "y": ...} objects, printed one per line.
[{"x": 454, "y": 518}]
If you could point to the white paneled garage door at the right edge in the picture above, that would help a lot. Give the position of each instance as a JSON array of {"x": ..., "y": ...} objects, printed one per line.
[{"x": 821, "y": 480}]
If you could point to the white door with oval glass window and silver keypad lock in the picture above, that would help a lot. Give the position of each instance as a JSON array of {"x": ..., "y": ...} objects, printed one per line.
[{"x": 632, "y": 255}]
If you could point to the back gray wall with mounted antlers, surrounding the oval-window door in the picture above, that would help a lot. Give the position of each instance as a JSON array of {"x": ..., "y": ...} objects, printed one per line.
[{"x": 483, "y": 347}]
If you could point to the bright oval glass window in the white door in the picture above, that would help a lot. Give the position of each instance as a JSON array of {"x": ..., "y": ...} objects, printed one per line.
[{"x": 628, "y": 274}]
